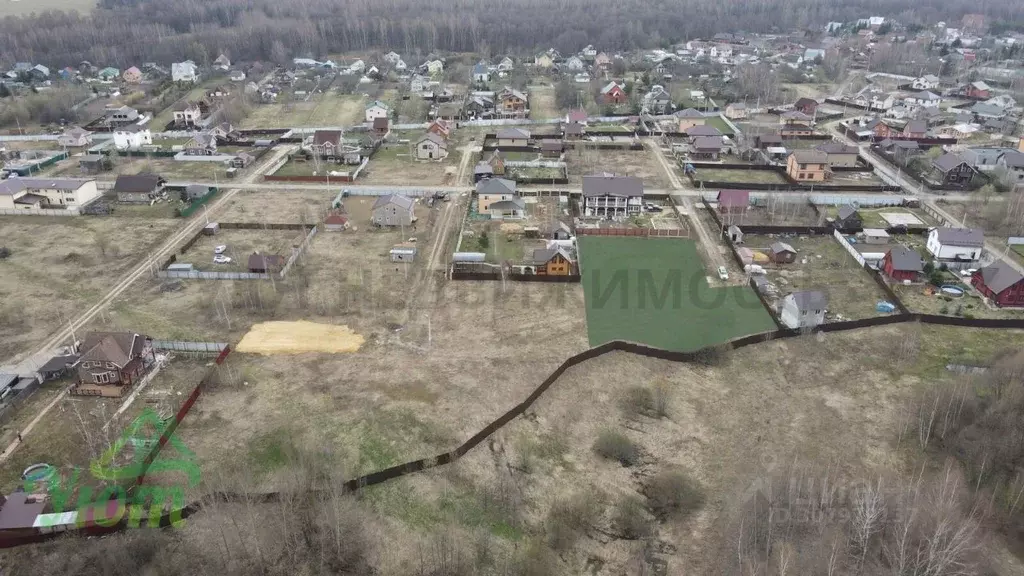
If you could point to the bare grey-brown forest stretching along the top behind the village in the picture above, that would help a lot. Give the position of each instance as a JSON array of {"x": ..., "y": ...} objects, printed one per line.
[{"x": 123, "y": 33}]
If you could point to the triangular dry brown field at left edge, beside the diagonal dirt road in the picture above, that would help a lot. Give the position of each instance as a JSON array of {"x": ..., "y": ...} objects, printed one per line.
[{"x": 60, "y": 267}]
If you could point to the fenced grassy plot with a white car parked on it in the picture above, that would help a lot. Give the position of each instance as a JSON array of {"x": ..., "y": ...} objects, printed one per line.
[{"x": 240, "y": 245}]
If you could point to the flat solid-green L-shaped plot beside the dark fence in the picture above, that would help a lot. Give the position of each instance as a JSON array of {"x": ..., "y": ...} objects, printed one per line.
[{"x": 655, "y": 292}]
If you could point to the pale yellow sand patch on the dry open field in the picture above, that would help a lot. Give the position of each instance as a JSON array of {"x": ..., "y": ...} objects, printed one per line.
[{"x": 300, "y": 338}]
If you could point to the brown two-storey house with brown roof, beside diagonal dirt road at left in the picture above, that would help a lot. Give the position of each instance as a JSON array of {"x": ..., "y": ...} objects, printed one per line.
[{"x": 111, "y": 363}]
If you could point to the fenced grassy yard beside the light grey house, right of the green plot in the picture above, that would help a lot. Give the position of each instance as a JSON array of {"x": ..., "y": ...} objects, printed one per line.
[{"x": 823, "y": 265}]
